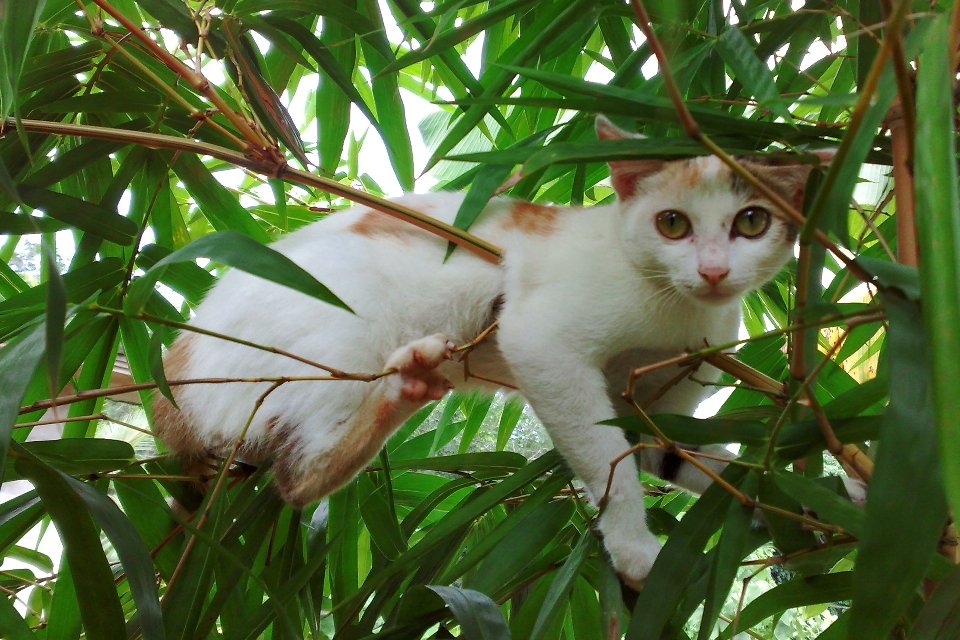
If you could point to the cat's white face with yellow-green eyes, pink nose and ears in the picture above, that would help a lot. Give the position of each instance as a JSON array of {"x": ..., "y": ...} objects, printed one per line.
[{"x": 694, "y": 227}]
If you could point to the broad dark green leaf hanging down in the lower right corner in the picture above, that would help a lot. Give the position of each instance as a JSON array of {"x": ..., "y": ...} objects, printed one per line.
[{"x": 901, "y": 532}]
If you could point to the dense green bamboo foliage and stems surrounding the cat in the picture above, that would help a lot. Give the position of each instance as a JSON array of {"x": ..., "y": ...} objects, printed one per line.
[{"x": 148, "y": 145}]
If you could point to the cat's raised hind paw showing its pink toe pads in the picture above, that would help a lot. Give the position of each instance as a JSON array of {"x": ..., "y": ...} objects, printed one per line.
[{"x": 417, "y": 364}]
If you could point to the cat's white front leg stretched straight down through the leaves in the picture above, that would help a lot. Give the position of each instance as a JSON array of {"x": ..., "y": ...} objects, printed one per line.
[{"x": 570, "y": 398}]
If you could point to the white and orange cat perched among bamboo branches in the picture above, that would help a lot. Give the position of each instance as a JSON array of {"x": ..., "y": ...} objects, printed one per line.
[{"x": 582, "y": 295}]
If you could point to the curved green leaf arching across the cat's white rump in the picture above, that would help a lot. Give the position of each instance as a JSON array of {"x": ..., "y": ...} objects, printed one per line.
[{"x": 239, "y": 251}]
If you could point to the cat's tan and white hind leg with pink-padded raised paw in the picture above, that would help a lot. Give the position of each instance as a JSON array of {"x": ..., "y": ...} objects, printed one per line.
[{"x": 307, "y": 470}]
